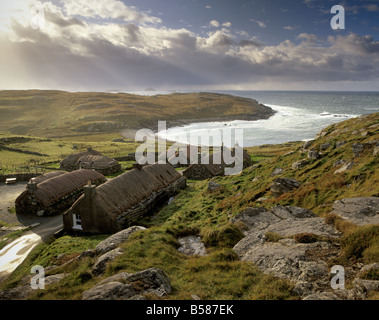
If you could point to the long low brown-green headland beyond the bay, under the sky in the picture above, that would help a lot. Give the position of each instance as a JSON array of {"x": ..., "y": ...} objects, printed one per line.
[{"x": 59, "y": 113}]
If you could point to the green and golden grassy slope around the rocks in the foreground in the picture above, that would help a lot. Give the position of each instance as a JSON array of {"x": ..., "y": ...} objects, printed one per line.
[{"x": 196, "y": 211}]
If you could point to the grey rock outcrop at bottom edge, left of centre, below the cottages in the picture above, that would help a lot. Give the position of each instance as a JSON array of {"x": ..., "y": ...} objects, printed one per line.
[{"x": 131, "y": 286}]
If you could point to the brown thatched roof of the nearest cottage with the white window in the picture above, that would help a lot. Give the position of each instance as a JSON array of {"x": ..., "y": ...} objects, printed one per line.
[{"x": 129, "y": 189}]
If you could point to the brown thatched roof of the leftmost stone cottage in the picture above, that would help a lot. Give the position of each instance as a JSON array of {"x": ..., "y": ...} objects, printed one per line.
[{"x": 53, "y": 189}]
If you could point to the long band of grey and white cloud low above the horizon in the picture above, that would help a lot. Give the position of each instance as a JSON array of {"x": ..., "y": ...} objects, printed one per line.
[{"x": 82, "y": 54}]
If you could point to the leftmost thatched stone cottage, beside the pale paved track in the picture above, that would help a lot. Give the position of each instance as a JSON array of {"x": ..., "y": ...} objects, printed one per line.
[{"x": 55, "y": 194}]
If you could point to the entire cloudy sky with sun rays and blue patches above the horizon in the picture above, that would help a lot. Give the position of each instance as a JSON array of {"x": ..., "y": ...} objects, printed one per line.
[{"x": 103, "y": 45}]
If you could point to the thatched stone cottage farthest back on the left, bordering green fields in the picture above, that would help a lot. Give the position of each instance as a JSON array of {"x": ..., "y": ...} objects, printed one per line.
[{"x": 90, "y": 159}]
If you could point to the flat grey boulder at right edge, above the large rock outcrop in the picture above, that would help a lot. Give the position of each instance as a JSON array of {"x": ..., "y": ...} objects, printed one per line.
[{"x": 359, "y": 210}]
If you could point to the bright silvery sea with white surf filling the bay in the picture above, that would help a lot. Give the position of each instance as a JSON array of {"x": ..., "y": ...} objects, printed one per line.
[{"x": 299, "y": 116}]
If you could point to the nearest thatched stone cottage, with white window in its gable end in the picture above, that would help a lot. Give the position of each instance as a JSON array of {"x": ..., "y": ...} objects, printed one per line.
[{"x": 114, "y": 205}]
